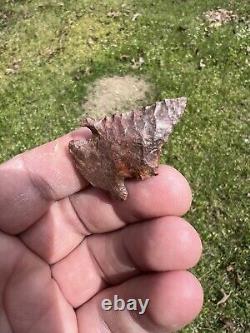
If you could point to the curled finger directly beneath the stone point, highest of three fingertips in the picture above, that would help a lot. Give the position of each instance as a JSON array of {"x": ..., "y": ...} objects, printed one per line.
[{"x": 166, "y": 194}]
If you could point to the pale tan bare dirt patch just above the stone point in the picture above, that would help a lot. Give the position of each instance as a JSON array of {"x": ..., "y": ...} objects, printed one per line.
[{"x": 116, "y": 94}]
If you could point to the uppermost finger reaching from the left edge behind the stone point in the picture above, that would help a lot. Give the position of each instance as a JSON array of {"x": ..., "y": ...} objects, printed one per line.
[{"x": 32, "y": 180}]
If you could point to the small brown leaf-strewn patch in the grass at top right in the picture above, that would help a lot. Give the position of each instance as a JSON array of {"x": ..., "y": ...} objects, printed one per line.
[{"x": 220, "y": 16}]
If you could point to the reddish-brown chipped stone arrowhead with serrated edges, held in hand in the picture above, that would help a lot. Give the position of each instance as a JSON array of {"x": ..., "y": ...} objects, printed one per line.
[{"x": 125, "y": 145}]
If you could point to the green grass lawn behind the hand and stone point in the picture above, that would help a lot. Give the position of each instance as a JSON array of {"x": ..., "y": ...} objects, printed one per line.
[{"x": 41, "y": 99}]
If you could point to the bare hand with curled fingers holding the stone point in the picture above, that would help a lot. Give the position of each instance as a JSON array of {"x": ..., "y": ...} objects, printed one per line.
[{"x": 65, "y": 246}]
